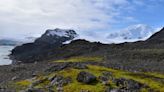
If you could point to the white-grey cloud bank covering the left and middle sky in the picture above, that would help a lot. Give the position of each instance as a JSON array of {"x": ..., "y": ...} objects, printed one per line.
[{"x": 34, "y": 16}]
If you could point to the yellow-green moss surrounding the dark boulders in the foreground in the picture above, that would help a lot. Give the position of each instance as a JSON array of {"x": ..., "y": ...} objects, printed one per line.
[{"x": 153, "y": 81}]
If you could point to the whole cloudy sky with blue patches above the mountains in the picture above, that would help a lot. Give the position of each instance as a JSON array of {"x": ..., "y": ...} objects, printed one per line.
[{"x": 22, "y": 18}]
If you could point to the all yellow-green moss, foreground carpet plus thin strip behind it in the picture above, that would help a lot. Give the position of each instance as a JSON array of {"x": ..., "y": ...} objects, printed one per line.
[{"x": 154, "y": 80}]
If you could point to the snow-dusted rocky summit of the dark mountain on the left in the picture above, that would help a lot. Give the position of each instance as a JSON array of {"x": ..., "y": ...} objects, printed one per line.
[{"x": 57, "y": 36}]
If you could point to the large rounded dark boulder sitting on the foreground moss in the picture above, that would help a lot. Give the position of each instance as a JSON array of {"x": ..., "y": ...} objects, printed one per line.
[{"x": 86, "y": 77}]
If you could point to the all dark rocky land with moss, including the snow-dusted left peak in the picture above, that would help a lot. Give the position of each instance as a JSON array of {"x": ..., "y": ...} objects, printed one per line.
[{"x": 48, "y": 65}]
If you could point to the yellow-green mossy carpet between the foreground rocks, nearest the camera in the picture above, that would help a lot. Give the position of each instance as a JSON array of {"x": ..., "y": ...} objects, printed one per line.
[{"x": 99, "y": 87}]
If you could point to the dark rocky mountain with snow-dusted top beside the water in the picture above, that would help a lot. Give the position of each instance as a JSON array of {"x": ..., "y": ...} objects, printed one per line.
[{"x": 43, "y": 46}]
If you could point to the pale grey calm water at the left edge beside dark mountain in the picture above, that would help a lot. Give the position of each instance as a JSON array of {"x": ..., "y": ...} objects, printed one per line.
[{"x": 4, "y": 52}]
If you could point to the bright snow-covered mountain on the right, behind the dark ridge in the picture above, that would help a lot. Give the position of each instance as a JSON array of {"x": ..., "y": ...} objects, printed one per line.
[{"x": 132, "y": 33}]
